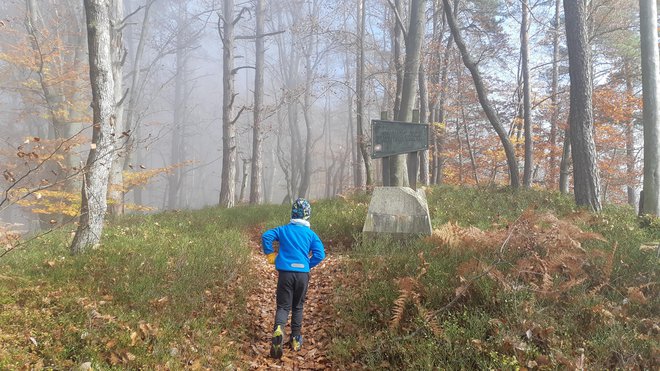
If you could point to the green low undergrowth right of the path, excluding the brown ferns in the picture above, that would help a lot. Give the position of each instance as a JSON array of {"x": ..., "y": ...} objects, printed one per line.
[{"x": 488, "y": 328}]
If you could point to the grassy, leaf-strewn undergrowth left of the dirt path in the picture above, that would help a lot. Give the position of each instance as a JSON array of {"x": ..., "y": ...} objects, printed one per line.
[{"x": 161, "y": 291}]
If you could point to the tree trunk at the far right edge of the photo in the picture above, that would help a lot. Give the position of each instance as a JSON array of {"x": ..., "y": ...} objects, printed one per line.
[{"x": 648, "y": 13}]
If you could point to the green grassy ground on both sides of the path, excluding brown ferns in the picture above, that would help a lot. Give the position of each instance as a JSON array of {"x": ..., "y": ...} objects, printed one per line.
[{"x": 168, "y": 290}]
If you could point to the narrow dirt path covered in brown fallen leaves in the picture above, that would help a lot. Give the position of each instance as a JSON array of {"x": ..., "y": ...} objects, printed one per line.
[{"x": 318, "y": 317}]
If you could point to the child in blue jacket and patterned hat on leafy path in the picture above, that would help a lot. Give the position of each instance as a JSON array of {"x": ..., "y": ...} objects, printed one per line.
[{"x": 293, "y": 263}]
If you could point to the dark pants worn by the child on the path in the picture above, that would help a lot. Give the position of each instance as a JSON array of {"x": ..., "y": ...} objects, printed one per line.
[{"x": 291, "y": 292}]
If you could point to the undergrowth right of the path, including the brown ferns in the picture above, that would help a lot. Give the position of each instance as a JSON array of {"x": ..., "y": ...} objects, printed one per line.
[{"x": 508, "y": 281}]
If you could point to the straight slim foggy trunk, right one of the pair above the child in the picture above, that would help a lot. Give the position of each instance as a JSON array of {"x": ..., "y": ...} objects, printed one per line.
[{"x": 257, "y": 162}]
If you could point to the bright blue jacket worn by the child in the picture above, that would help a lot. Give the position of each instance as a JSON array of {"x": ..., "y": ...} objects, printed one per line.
[{"x": 296, "y": 240}]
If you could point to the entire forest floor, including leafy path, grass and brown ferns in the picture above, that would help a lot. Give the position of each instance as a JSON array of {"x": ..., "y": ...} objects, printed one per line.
[{"x": 509, "y": 280}]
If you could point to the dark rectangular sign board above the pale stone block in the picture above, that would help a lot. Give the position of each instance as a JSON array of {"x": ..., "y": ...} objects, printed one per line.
[{"x": 390, "y": 138}]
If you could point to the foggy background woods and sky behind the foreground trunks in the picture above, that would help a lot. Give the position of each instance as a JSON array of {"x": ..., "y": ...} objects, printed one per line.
[{"x": 317, "y": 99}]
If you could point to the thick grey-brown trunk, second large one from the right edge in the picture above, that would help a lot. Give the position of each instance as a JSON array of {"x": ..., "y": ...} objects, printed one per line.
[{"x": 586, "y": 180}]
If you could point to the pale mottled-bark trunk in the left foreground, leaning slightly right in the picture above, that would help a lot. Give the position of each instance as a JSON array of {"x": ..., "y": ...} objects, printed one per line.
[{"x": 101, "y": 154}]
